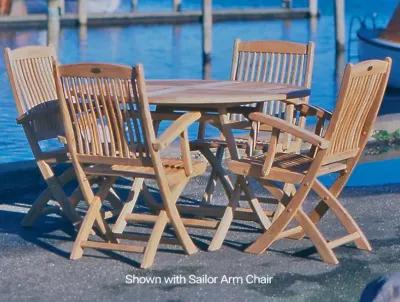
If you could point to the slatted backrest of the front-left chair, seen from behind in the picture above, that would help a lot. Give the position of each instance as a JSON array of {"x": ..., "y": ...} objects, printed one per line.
[{"x": 106, "y": 113}]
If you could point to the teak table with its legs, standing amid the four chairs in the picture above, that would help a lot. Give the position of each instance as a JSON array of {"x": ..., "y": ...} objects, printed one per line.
[{"x": 219, "y": 97}]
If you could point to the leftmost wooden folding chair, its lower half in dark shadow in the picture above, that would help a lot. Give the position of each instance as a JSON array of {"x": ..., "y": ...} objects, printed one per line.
[{"x": 30, "y": 71}]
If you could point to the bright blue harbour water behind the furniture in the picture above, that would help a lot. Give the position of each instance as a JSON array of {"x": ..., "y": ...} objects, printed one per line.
[{"x": 169, "y": 51}]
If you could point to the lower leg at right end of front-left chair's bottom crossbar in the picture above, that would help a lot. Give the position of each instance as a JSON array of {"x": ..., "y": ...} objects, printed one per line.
[{"x": 154, "y": 240}]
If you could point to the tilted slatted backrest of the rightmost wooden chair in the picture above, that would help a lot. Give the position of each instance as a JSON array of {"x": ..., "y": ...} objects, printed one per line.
[{"x": 361, "y": 94}]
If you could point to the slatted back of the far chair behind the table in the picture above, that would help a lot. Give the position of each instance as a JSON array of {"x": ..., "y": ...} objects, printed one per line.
[{"x": 278, "y": 62}]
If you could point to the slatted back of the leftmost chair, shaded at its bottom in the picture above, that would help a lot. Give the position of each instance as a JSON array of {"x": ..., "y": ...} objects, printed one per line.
[{"x": 30, "y": 71}]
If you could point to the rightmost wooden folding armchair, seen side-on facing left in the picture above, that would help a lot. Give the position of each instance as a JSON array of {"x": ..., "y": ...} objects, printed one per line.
[{"x": 336, "y": 147}]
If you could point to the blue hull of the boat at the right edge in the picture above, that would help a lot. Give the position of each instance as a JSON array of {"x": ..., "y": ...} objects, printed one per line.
[{"x": 370, "y": 46}]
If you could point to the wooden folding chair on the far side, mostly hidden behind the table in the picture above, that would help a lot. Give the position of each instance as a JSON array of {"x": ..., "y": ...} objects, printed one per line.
[{"x": 259, "y": 61}]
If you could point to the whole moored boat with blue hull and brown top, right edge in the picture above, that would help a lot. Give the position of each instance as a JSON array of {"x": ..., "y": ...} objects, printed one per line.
[{"x": 378, "y": 43}]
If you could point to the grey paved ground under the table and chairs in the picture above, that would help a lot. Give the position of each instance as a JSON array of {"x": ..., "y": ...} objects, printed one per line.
[{"x": 34, "y": 264}]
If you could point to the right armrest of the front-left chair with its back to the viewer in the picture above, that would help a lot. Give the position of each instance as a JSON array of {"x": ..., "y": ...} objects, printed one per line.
[{"x": 175, "y": 129}]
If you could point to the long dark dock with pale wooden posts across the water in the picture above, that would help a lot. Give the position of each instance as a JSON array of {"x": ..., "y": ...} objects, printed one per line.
[{"x": 55, "y": 18}]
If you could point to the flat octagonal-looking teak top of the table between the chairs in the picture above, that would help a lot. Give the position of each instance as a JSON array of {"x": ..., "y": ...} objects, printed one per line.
[{"x": 224, "y": 93}]
